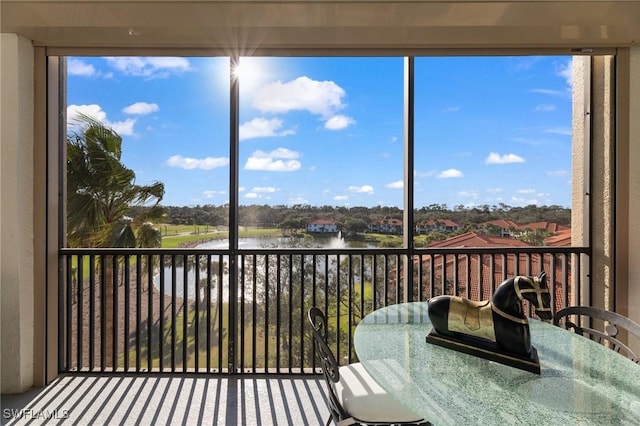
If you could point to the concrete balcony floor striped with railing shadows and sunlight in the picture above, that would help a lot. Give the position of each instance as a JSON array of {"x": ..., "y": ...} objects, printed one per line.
[{"x": 95, "y": 399}]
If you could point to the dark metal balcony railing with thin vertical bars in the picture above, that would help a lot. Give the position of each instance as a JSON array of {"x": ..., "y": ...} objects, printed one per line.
[{"x": 210, "y": 311}]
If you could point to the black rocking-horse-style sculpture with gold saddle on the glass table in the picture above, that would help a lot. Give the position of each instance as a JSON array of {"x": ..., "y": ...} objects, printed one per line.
[{"x": 497, "y": 329}]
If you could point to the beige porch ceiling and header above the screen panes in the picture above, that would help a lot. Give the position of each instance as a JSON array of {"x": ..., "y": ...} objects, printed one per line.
[{"x": 319, "y": 24}]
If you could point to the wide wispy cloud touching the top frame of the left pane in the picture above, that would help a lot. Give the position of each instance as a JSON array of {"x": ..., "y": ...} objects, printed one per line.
[{"x": 149, "y": 66}]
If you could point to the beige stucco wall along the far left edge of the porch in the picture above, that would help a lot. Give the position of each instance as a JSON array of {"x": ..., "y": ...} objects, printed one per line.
[{"x": 16, "y": 212}]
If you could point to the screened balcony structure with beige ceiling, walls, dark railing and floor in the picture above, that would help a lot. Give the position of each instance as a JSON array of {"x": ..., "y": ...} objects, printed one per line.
[{"x": 82, "y": 325}]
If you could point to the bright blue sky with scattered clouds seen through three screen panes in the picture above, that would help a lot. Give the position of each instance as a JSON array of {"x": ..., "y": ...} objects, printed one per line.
[{"x": 329, "y": 131}]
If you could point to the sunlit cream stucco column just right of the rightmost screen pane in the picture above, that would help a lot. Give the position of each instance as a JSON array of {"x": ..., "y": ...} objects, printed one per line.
[{"x": 592, "y": 179}]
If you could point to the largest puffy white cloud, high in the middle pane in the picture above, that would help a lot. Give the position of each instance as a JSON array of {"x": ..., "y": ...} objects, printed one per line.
[{"x": 303, "y": 94}]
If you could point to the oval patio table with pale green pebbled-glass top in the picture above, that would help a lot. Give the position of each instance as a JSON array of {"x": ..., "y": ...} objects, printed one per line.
[{"x": 581, "y": 381}]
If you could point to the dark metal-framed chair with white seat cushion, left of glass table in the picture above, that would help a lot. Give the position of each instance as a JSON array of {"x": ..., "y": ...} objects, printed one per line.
[{"x": 353, "y": 397}]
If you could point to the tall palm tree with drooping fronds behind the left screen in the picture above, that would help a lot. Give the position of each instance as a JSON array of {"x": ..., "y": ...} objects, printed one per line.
[{"x": 100, "y": 194}]
